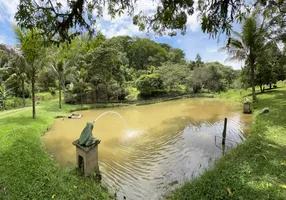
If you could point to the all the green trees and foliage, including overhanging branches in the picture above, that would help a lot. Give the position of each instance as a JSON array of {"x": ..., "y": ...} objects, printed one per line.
[{"x": 91, "y": 68}]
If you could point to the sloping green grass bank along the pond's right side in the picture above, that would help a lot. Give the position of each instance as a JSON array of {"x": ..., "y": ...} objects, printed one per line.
[{"x": 257, "y": 168}]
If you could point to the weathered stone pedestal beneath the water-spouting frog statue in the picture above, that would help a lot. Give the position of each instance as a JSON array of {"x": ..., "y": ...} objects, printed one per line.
[{"x": 87, "y": 158}]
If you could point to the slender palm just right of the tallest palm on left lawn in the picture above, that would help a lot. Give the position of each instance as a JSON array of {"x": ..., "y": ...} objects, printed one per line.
[{"x": 62, "y": 70}]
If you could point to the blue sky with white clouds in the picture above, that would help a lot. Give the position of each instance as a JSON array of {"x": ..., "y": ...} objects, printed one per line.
[{"x": 193, "y": 42}]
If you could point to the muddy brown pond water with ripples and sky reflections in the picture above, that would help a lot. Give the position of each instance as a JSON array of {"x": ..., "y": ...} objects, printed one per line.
[{"x": 164, "y": 145}]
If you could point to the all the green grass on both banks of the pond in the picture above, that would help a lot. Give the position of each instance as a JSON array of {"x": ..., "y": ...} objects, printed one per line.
[{"x": 254, "y": 170}]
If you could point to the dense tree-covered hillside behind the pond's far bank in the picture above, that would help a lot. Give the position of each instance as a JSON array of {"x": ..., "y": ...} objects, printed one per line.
[{"x": 99, "y": 69}]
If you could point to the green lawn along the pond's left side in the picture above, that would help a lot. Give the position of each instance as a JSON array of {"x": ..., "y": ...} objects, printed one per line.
[{"x": 26, "y": 169}]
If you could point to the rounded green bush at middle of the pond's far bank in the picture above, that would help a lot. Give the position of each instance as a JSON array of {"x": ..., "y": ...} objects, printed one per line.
[{"x": 147, "y": 84}]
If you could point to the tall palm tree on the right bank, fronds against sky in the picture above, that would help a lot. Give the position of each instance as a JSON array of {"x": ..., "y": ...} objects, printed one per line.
[{"x": 248, "y": 45}]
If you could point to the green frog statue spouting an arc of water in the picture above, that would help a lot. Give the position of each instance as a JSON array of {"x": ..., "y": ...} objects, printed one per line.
[{"x": 86, "y": 139}]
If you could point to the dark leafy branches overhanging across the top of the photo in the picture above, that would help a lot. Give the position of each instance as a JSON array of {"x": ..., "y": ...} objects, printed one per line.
[{"x": 170, "y": 15}]
